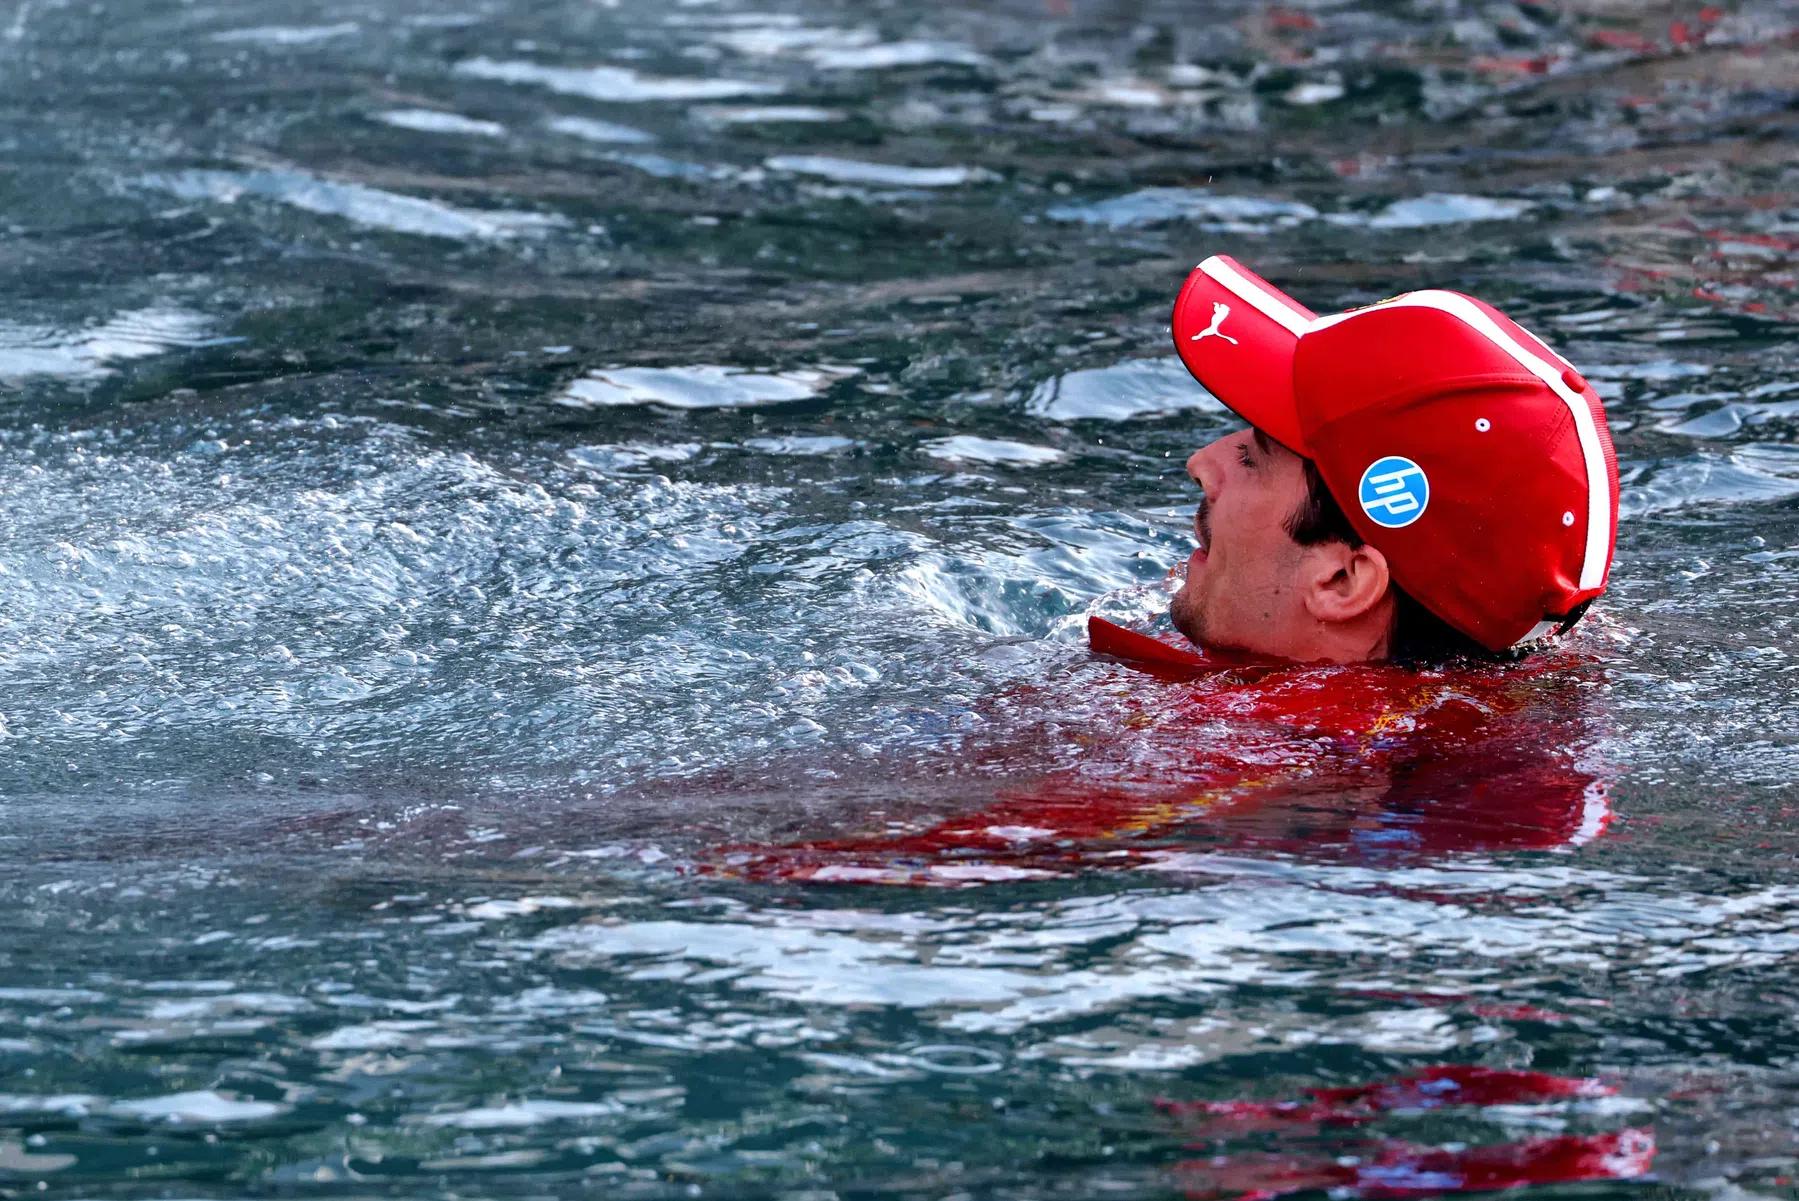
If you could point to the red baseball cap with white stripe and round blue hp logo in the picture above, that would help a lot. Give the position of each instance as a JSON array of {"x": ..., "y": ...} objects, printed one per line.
[{"x": 1456, "y": 441}]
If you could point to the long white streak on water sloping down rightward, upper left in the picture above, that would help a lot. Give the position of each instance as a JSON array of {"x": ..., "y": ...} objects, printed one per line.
[{"x": 357, "y": 204}]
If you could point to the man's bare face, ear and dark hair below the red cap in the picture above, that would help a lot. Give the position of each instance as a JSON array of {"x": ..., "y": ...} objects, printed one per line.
[{"x": 1284, "y": 573}]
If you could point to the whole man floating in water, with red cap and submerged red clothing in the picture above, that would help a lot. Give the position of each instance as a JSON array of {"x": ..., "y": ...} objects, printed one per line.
[{"x": 1422, "y": 485}]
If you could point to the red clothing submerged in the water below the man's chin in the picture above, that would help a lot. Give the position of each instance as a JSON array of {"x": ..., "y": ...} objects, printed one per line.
[{"x": 1366, "y": 761}]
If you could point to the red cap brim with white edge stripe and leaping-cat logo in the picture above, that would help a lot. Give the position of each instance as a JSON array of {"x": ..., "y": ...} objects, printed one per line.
[{"x": 1237, "y": 334}]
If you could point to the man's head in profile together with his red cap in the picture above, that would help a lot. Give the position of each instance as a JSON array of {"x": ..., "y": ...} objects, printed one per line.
[{"x": 1422, "y": 479}]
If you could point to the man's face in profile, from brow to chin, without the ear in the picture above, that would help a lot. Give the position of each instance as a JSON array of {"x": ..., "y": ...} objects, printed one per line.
[{"x": 1244, "y": 583}]
